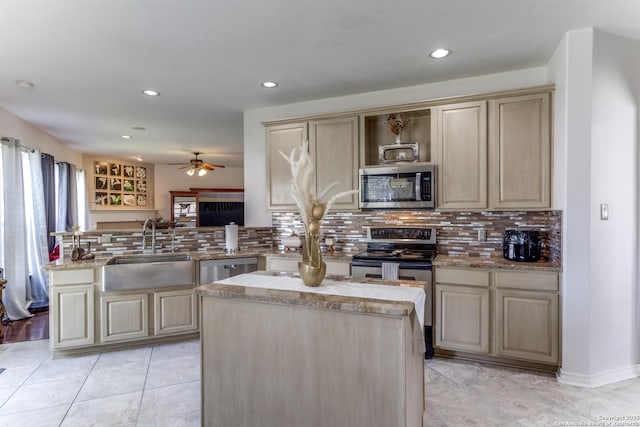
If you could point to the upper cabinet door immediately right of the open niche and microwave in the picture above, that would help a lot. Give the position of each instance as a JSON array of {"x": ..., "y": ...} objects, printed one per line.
[{"x": 461, "y": 155}]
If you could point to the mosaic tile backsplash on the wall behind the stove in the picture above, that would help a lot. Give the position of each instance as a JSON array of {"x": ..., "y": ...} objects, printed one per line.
[{"x": 457, "y": 232}]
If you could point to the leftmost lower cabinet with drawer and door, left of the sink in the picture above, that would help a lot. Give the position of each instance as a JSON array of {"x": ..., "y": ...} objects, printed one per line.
[{"x": 71, "y": 304}]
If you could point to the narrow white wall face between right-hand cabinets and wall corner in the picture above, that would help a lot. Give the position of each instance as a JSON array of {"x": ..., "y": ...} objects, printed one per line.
[{"x": 570, "y": 68}]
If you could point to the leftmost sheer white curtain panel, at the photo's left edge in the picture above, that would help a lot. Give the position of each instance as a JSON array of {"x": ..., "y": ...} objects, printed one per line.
[{"x": 13, "y": 231}]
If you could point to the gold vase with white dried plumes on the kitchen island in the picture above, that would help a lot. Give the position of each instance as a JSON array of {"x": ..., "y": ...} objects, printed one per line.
[{"x": 312, "y": 208}]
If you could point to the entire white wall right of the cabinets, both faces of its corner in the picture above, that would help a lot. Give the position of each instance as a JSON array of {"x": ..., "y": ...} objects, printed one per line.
[{"x": 596, "y": 139}]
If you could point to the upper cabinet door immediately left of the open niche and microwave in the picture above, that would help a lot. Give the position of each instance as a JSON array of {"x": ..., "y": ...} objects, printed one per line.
[{"x": 335, "y": 142}]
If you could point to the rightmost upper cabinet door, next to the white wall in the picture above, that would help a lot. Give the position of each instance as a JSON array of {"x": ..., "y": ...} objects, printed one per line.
[{"x": 520, "y": 152}]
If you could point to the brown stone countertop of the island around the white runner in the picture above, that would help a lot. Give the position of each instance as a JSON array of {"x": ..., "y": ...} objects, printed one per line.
[{"x": 315, "y": 300}]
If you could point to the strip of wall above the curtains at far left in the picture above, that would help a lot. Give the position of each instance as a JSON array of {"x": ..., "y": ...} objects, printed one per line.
[{"x": 34, "y": 137}]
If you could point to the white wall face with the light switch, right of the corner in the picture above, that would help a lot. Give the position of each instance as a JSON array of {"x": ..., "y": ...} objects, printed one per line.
[{"x": 614, "y": 151}]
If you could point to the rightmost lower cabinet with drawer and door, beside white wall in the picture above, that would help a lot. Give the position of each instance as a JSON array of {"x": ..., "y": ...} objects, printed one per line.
[{"x": 527, "y": 325}]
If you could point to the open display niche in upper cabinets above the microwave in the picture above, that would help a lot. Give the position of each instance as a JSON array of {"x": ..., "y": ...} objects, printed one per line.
[{"x": 401, "y": 127}]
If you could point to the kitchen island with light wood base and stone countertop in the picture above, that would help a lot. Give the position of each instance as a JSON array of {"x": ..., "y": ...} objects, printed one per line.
[{"x": 275, "y": 352}]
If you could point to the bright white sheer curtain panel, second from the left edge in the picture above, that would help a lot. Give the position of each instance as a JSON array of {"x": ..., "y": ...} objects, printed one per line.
[{"x": 36, "y": 222}]
